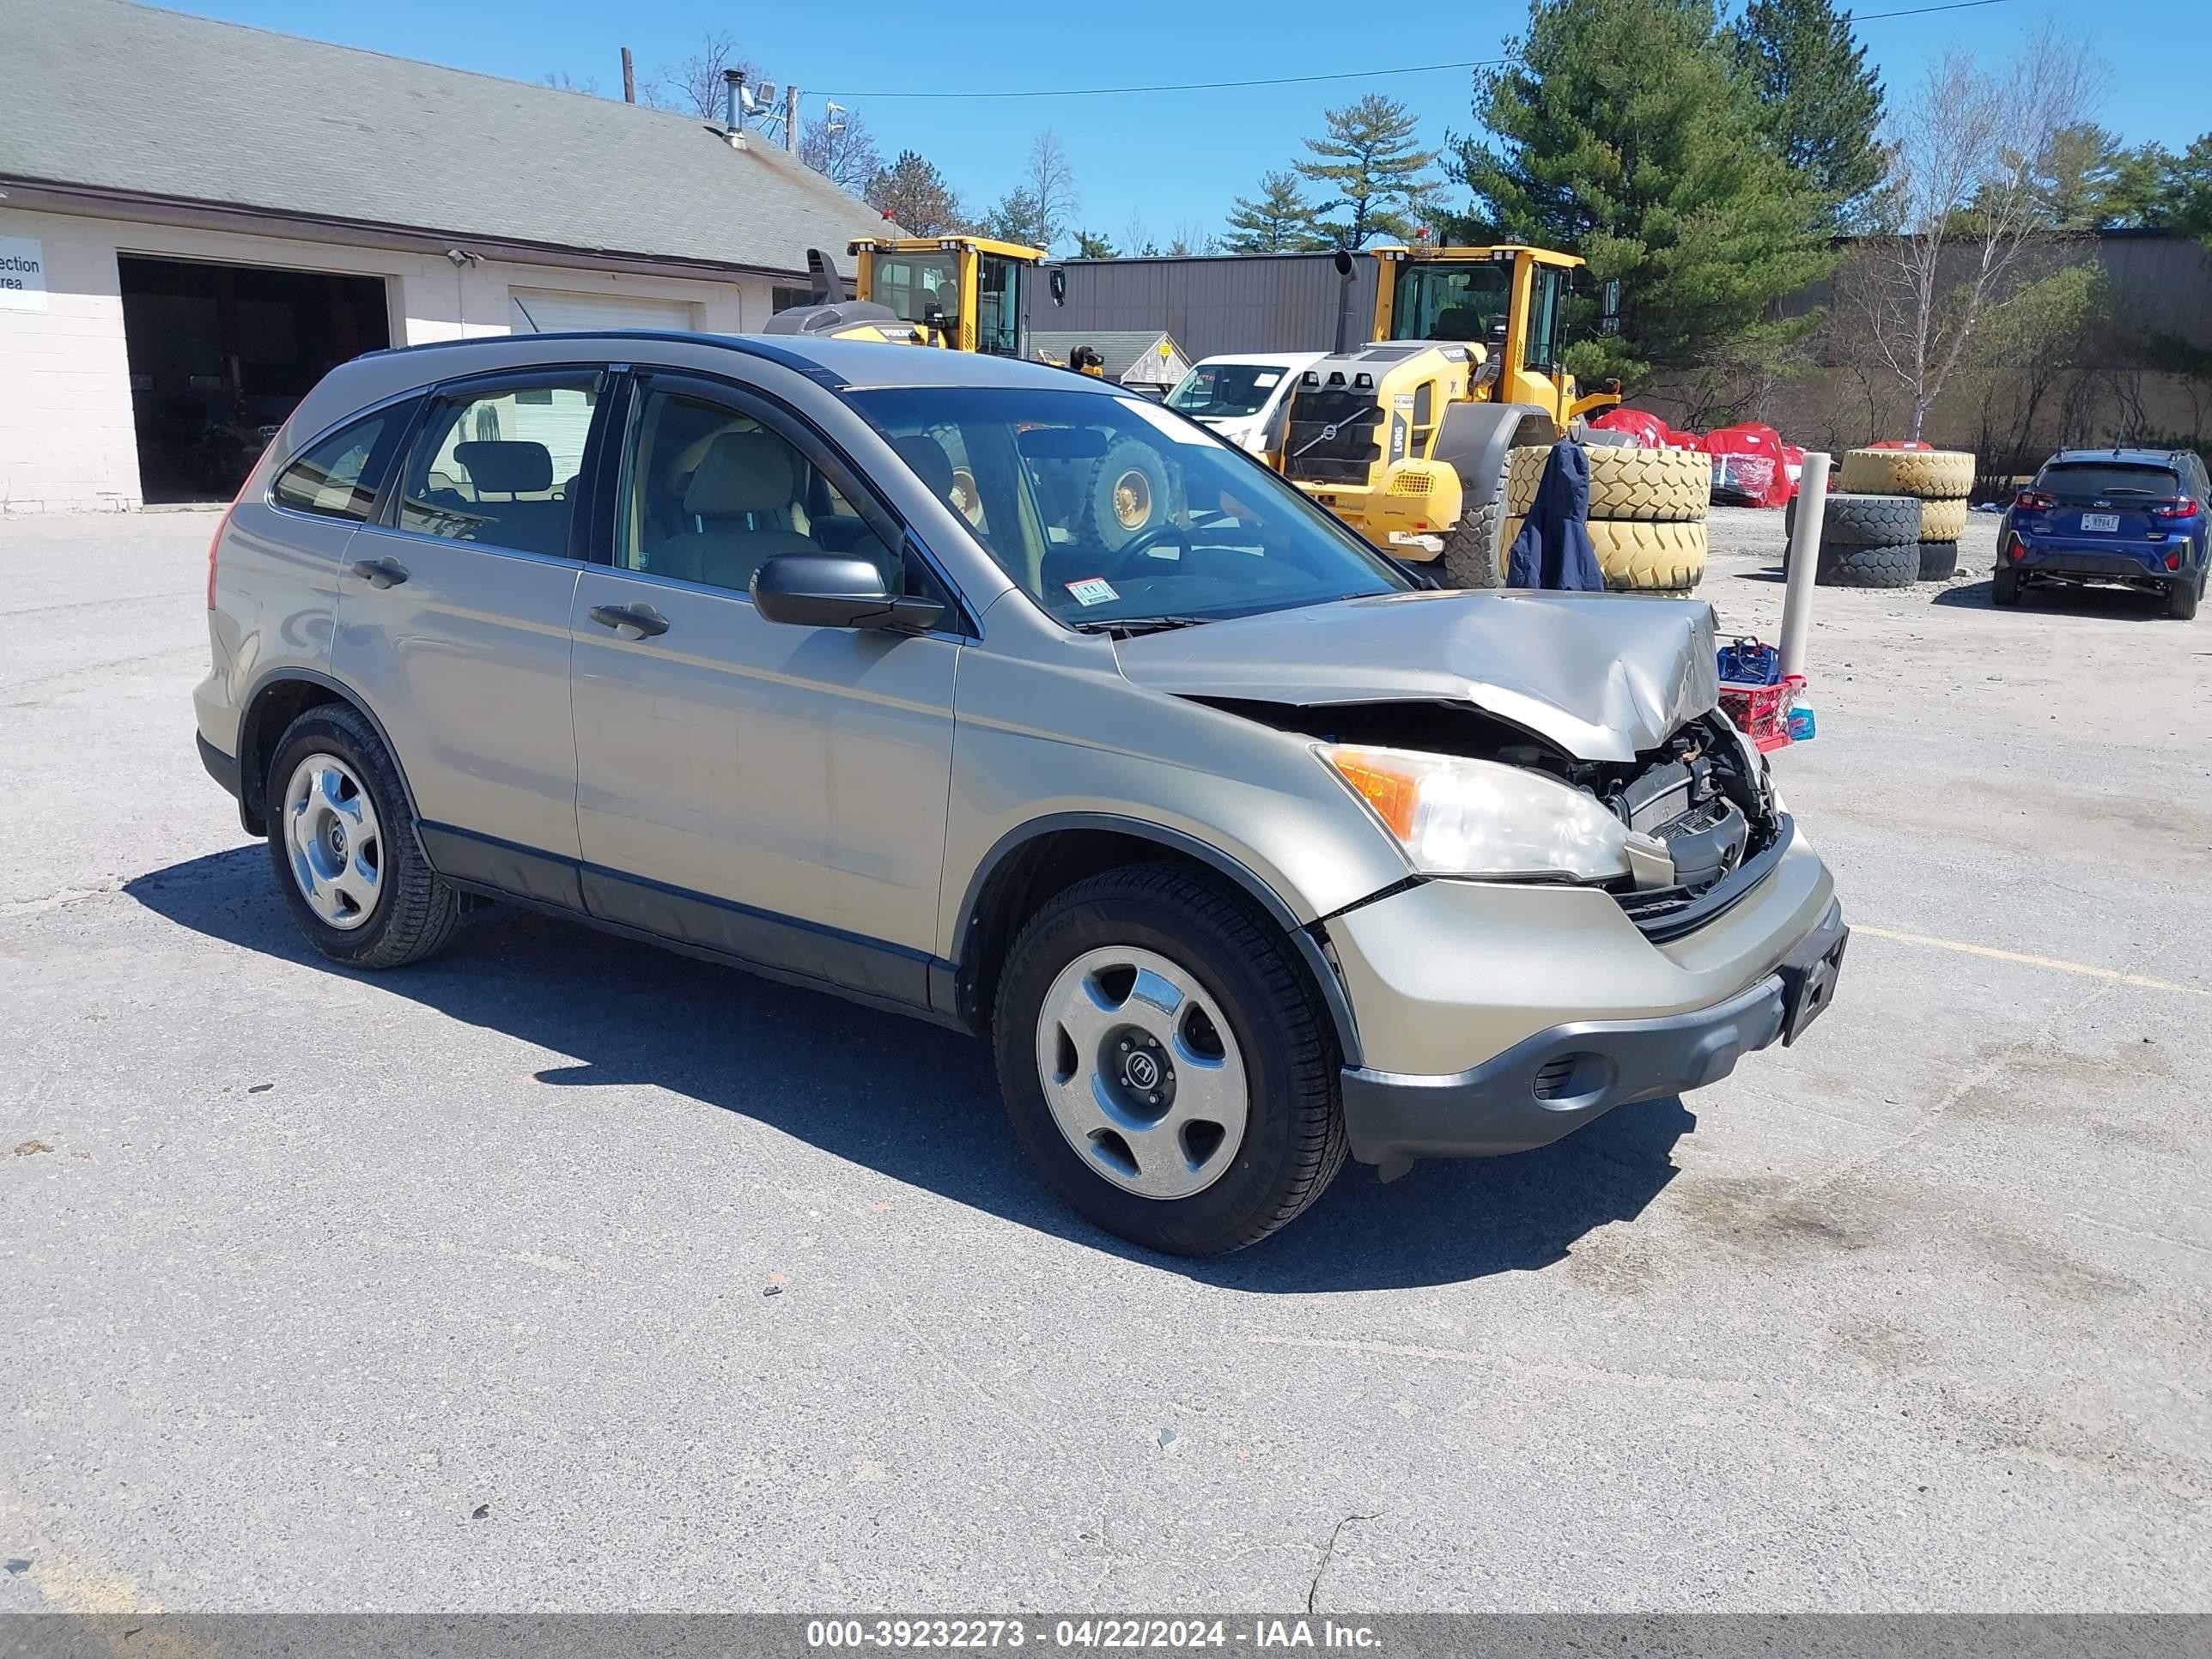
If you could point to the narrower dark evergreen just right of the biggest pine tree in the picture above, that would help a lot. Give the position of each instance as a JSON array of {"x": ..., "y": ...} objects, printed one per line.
[{"x": 1819, "y": 101}]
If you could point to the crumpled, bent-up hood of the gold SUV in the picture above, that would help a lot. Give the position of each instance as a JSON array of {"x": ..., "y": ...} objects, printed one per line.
[{"x": 1603, "y": 676}]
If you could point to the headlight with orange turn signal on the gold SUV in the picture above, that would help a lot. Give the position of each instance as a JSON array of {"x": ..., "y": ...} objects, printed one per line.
[{"x": 1461, "y": 817}]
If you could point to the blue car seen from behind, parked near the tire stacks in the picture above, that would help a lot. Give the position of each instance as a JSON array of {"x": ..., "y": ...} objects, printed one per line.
[{"x": 2131, "y": 517}]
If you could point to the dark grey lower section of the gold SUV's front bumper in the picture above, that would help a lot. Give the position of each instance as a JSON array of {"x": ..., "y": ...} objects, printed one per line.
[{"x": 1561, "y": 1078}]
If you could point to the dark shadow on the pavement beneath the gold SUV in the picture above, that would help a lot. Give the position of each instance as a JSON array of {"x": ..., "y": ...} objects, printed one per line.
[{"x": 921, "y": 1105}]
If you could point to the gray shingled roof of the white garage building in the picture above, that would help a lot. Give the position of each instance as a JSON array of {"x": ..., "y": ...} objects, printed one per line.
[{"x": 127, "y": 98}]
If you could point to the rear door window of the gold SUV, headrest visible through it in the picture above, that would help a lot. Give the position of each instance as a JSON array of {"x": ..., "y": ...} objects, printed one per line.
[{"x": 501, "y": 466}]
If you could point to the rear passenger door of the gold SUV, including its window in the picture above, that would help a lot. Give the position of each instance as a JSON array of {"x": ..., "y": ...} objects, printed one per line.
[{"x": 455, "y": 623}]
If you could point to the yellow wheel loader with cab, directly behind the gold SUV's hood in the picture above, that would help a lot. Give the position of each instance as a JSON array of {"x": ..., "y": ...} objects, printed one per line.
[{"x": 1408, "y": 439}]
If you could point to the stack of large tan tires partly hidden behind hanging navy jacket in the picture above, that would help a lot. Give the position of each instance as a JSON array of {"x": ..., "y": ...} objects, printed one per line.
[{"x": 1647, "y": 512}]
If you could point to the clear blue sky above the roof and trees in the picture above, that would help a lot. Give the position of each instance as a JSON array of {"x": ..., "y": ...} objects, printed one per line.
[{"x": 1165, "y": 158}]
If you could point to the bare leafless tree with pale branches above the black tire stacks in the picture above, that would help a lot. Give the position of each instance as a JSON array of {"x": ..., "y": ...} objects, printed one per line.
[{"x": 1961, "y": 202}]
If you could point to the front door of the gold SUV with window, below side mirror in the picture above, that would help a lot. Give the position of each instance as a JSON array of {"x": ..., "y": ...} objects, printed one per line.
[{"x": 769, "y": 791}]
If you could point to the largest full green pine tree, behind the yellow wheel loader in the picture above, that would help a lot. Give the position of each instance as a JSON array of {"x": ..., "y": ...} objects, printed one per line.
[{"x": 1625, "y": 136}]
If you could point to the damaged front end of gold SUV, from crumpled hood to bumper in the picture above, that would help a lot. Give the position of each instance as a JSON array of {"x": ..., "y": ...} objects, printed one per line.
[{"x": 1605, "y": 899}]
